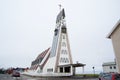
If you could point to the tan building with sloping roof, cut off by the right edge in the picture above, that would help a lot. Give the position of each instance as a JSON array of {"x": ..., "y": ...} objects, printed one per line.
[{"x": 115, "y": 36}]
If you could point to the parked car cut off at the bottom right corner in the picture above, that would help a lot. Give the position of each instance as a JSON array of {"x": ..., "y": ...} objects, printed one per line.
[{"x": 109, "y": 76}]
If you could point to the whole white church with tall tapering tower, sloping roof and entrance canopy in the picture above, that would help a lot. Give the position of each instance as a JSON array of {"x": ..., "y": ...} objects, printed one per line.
[{"x": 57, "y": 60}]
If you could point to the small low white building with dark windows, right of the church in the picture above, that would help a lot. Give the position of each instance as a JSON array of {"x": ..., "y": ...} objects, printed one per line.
[{"x": 109, "y": 67}]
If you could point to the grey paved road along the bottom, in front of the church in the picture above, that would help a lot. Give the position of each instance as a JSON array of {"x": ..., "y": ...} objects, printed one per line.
[{"x": 8, "y": 77}]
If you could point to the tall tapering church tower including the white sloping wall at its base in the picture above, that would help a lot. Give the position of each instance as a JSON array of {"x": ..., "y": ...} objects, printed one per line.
[{"x": 60, "y": 52}]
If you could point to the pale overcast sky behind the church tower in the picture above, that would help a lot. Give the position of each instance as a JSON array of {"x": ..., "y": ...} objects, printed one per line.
[{"x": 27, "y": 26}]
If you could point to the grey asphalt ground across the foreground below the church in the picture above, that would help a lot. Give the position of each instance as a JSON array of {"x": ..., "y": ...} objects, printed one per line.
[{"x": 23, "y": 77}]
